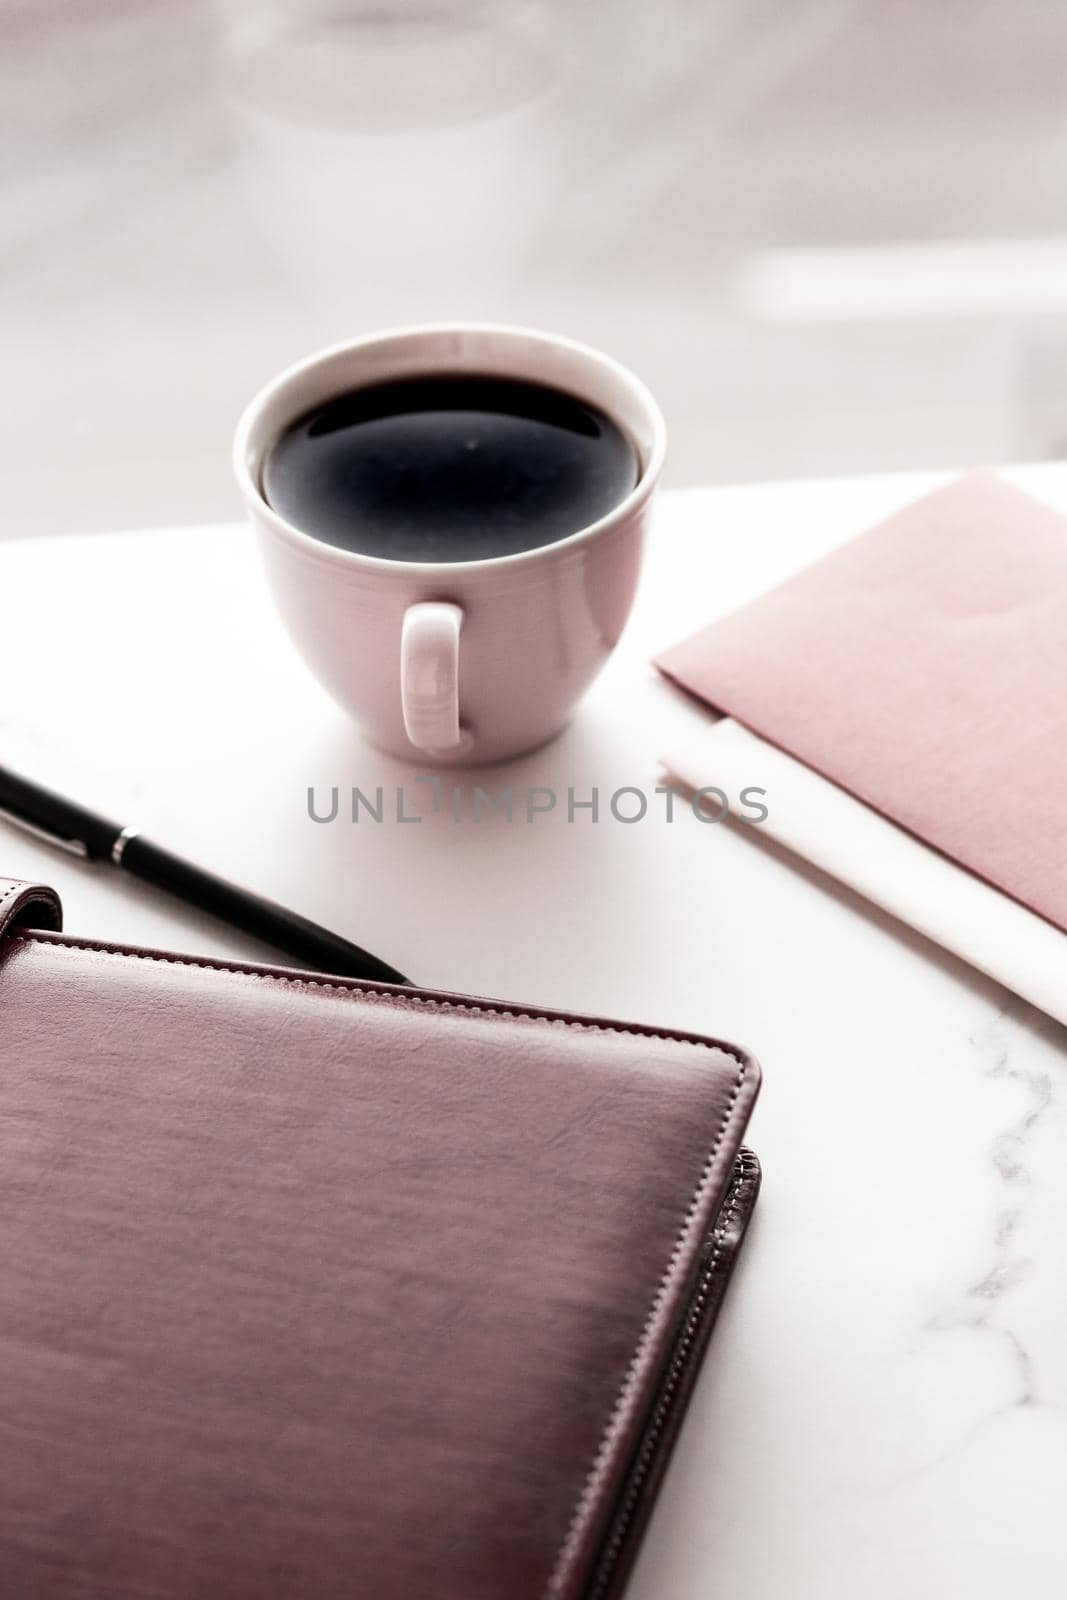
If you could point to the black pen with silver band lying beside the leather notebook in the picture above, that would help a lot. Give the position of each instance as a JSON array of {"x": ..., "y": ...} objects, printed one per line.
[{"x": 82, "y": 833}]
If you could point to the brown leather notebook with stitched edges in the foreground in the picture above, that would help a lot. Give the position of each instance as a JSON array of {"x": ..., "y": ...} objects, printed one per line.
[{"x": 326, "y": 1289}]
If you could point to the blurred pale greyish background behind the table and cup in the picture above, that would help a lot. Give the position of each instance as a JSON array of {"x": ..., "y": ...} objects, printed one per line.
[{"x": 831, "y": 234}]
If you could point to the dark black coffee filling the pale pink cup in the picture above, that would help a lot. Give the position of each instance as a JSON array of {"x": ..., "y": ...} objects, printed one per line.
[{"x": 449, "y": 468}]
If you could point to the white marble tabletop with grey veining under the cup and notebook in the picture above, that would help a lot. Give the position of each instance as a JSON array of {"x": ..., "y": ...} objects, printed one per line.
[{"x": 885, "y": 1407}]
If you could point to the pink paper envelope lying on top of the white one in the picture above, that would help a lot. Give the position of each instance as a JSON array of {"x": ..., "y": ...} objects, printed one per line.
[{"x": 922, "y": 668}]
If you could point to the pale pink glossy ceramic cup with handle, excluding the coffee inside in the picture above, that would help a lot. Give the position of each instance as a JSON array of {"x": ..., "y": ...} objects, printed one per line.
[{"x": 457, "y": 662}]
